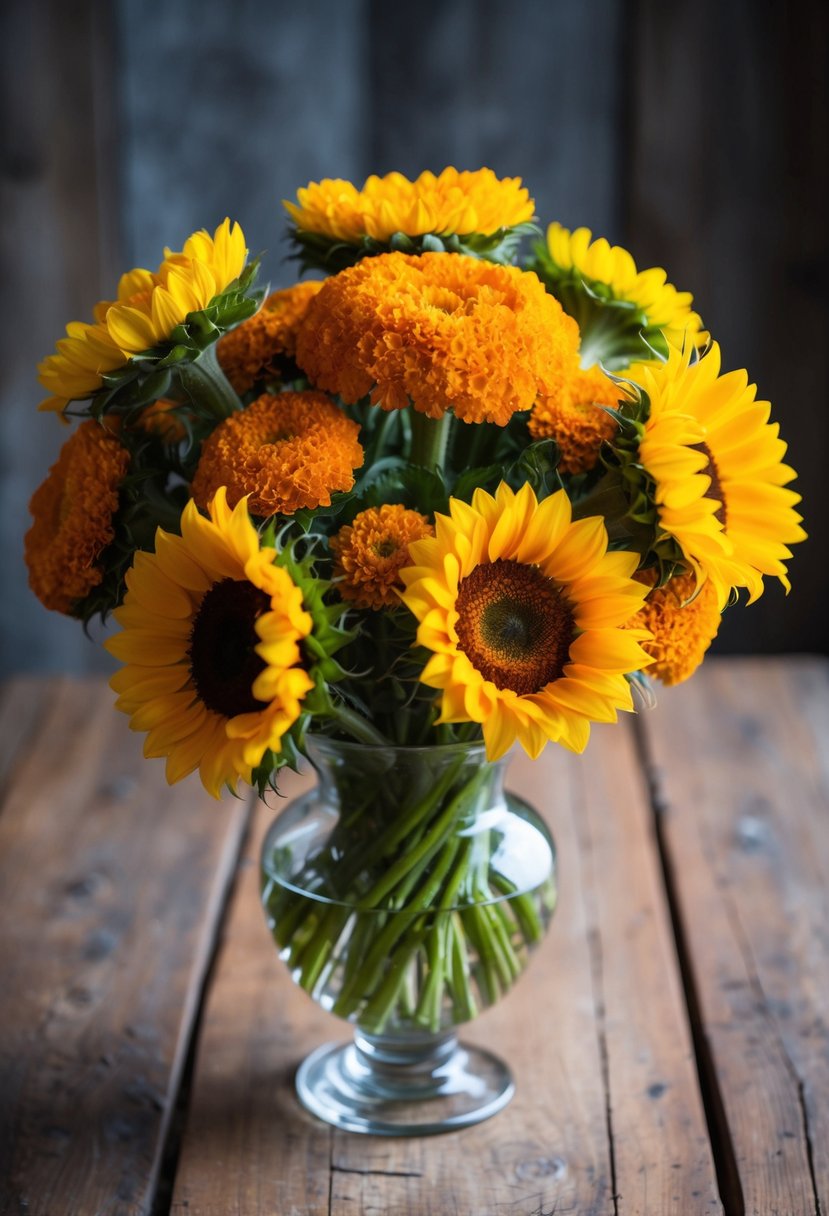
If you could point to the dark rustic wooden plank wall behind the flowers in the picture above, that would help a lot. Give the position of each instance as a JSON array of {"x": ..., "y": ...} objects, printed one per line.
[{"x": 696, "y": 136}]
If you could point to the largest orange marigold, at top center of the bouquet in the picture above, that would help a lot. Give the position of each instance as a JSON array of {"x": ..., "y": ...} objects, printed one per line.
[{"x": 441, "y": 331}]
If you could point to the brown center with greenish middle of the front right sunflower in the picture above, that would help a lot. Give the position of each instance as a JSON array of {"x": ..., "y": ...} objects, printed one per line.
[{"x": 515, "y": 626}]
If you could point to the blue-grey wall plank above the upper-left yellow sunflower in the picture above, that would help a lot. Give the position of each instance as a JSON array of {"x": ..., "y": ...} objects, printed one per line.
[{"x": 249, "y": 144}]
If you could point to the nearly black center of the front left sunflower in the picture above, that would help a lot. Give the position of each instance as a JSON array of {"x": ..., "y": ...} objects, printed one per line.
[{"x": 223, "y": 660}]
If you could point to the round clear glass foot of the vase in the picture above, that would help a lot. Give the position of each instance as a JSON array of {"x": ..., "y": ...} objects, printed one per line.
[{"x": 416, "y": 1088}]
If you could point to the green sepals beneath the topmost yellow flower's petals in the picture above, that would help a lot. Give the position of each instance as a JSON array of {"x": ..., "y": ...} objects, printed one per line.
[{"x": 318, "y": 252}]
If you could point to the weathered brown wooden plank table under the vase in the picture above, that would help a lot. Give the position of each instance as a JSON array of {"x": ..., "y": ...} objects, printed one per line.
[{"x": 670, "y": 1040}]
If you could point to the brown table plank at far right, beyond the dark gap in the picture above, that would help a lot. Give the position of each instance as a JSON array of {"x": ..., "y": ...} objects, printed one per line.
[{"x": 743, "y": 779}]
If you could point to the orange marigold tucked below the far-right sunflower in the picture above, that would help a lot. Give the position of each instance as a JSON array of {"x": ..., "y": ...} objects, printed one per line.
[{"x": 684, "y": 622}]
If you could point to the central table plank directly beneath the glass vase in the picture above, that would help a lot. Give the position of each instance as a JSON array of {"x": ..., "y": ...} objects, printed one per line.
[{"x": 250, "y": 1149}]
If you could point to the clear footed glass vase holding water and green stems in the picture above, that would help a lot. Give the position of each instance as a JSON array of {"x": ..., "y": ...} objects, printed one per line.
[{"x": 407, "y": 893}]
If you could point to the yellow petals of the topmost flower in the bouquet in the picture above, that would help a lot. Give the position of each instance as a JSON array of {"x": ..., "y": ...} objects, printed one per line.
[{"x": 453, "y": 202}]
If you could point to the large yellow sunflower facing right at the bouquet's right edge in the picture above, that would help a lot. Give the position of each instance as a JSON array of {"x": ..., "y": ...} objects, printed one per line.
[{"x": 718, "y": 472}]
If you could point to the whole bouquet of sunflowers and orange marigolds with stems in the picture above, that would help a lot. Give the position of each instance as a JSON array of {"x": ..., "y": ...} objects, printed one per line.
[{"x": 454, "y": 491}]
